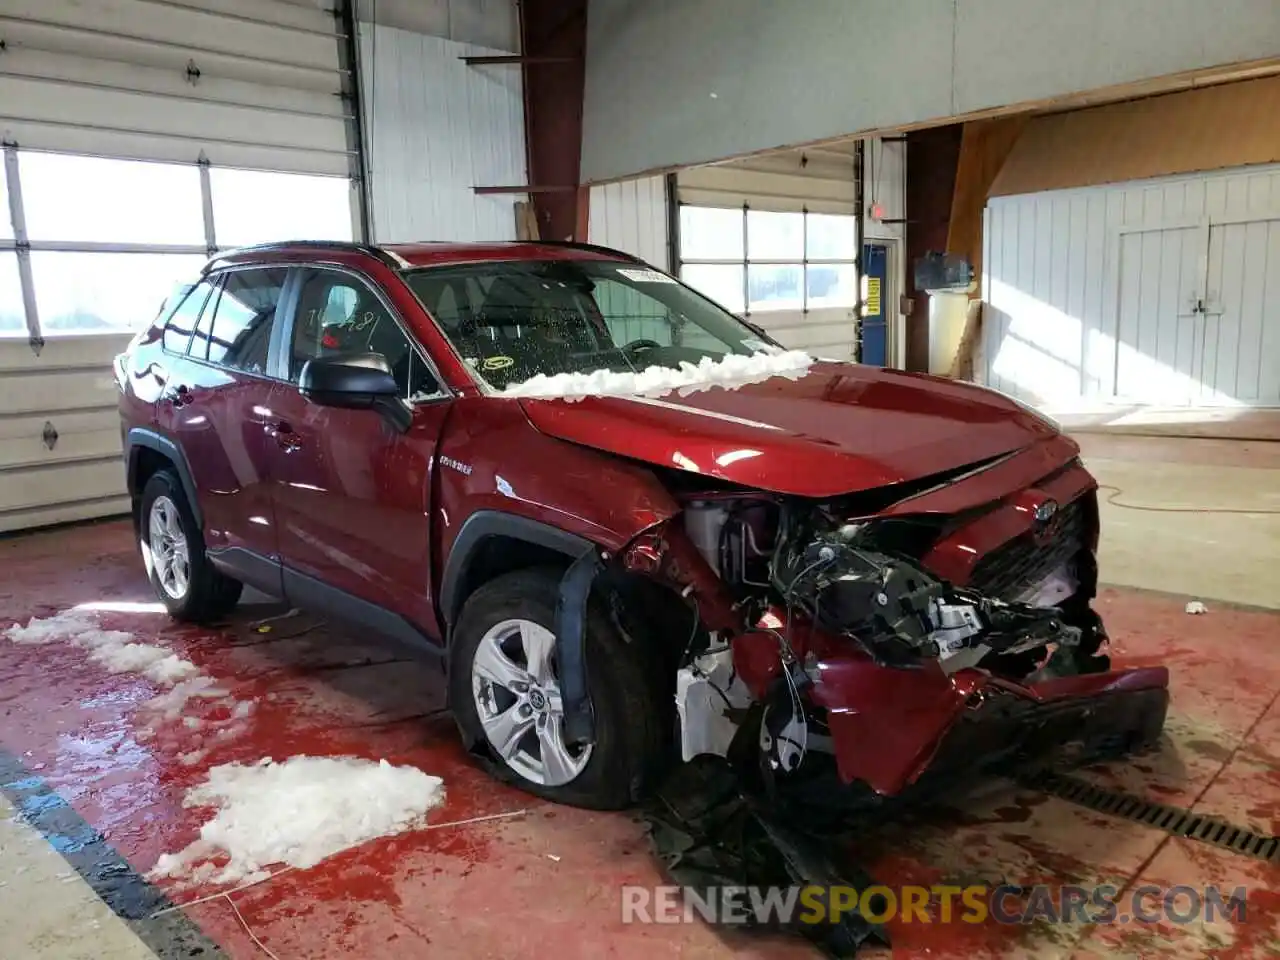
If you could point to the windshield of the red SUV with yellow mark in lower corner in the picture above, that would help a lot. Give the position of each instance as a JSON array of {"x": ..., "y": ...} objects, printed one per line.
[{"x": 513, "y": 322}]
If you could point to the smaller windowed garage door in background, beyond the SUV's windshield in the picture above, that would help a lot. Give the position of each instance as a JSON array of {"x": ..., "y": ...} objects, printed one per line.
[{"x": 775, "y": 239}]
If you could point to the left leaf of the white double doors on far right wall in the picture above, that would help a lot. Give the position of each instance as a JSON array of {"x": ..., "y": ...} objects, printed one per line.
[{"x": 1160, "y": 328}]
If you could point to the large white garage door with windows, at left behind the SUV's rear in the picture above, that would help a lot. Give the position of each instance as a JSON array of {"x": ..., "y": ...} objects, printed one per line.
[{"x": 140, "y": 136}]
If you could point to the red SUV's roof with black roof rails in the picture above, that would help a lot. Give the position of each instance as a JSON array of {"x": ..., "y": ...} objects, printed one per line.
[{"x": 401, "y": 257}]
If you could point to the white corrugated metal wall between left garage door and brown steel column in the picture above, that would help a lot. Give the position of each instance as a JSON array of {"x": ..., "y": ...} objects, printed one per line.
[{"x": 436, "y": 129}]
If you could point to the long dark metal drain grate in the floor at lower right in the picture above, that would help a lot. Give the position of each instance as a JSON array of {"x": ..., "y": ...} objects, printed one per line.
[{"x": 1172, "y": 820}]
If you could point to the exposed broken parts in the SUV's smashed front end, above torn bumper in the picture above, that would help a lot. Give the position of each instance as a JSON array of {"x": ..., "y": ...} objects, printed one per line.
[{"x": 798, "y": 570}]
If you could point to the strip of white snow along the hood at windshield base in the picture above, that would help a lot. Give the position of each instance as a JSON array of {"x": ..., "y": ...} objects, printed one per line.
[{"x": 730, "y": 372}]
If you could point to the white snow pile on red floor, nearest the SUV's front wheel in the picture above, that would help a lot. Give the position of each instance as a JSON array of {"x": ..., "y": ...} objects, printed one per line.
[{"x": 298, "y": 813}]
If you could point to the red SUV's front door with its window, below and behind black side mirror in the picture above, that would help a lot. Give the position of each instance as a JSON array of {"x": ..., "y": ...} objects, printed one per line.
[{"x": 353, "y": 493}]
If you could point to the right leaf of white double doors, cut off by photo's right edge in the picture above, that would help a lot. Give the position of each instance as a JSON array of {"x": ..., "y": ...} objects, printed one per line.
[{"x": 1242, "y": 316}]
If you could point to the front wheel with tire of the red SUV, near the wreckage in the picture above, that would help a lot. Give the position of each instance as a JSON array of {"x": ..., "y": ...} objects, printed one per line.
[{"x": 632, "y": 717}]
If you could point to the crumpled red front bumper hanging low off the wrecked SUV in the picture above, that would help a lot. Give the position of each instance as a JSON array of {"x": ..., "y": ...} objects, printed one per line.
[{"x": 894, "y": 728}]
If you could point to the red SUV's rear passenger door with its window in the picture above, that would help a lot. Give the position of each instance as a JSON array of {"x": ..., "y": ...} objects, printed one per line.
[{"x": 214, "y": 410}]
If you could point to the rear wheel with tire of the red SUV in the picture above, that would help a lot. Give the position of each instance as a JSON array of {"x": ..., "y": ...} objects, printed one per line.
[{"x": 170, "y": 528}]
